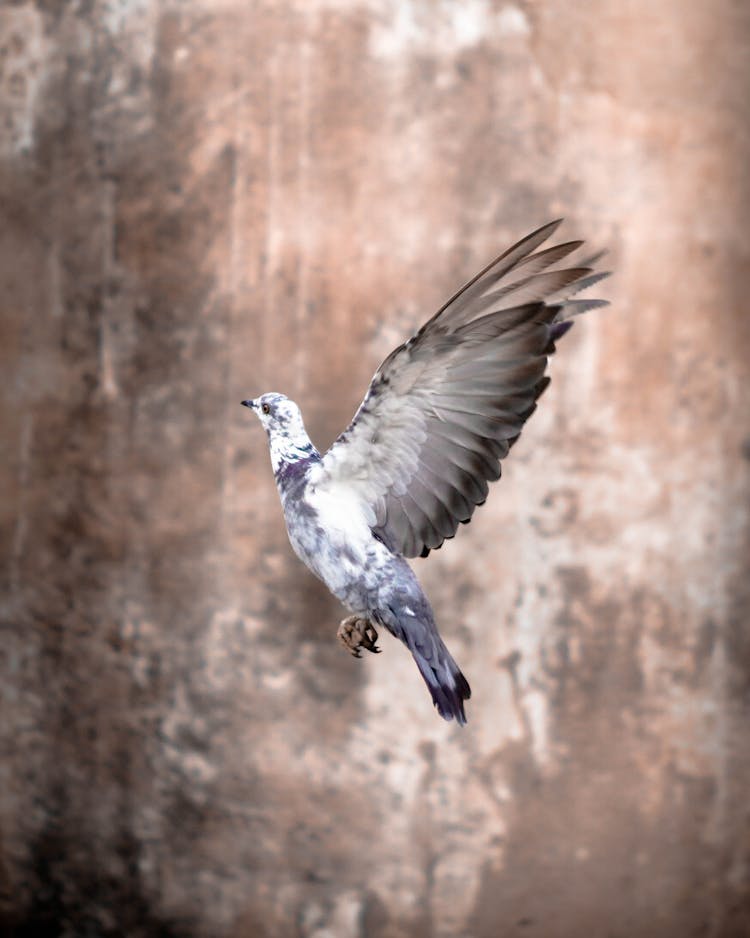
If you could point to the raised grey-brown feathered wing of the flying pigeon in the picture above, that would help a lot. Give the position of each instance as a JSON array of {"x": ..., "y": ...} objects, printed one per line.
[{"x": 445, "y": 407}]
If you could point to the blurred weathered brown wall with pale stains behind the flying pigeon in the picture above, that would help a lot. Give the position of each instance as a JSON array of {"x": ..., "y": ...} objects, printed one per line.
[{"x": 202, "y": 201}]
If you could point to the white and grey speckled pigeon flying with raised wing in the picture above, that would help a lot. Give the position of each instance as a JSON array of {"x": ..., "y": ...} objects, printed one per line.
[{"x": 440, "y": 414}]
